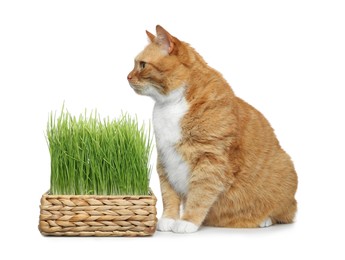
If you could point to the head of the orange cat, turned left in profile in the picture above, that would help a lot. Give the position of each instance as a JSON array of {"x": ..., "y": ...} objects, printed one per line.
[{"x": 162, "y": 66}]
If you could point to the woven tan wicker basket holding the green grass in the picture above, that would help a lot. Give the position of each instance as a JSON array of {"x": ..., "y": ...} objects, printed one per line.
[{"x": 93, "y": 215}]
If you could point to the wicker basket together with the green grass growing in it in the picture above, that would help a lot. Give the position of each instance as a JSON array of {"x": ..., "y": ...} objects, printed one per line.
[{"x": 99, "y": 183}]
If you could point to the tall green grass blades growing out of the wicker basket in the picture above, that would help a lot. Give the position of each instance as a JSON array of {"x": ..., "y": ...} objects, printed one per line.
[{"x": 94, "y": 156}]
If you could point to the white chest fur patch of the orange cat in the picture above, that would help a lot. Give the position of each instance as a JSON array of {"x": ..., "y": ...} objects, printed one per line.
[{"x": 167, "y": 117}]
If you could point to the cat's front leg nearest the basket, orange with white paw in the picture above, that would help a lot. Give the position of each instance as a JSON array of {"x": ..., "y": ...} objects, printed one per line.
[{"x": 171, "y": 202}]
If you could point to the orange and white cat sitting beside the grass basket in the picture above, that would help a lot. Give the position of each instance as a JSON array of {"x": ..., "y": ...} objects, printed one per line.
[{"x": 217, "y": 155}]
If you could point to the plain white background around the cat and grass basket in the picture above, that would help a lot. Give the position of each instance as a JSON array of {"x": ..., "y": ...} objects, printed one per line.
[{"x": 287, "y": 58}]
